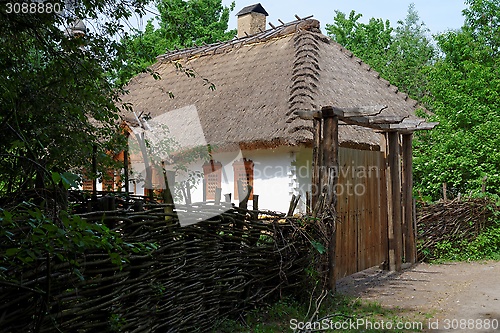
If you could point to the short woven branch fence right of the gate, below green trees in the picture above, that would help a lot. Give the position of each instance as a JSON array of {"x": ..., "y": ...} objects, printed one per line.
[{"x": 451, "y": 221}]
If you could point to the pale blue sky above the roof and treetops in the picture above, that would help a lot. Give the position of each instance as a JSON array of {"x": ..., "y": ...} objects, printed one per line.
[{"x": 438, "y": 15}]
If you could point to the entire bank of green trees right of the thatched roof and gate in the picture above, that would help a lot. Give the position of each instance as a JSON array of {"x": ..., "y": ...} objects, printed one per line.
[{"x": 458, "y": 82}]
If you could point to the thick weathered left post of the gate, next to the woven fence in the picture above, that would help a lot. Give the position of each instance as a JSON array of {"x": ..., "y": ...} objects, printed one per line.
[{"x": 328, "y": 181}]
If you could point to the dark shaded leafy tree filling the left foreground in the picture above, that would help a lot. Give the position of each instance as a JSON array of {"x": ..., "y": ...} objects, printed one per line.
[{"x": 56, "y": 104}]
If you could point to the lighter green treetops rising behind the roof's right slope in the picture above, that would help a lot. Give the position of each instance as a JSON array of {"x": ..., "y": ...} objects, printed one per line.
[{"x": 399, "y": 54}]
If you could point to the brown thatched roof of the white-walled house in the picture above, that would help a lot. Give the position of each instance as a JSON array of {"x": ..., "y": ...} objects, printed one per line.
[{"x": 260, "y": 81}]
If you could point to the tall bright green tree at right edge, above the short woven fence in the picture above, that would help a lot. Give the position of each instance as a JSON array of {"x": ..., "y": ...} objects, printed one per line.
[{"x": 464, "y": 87}]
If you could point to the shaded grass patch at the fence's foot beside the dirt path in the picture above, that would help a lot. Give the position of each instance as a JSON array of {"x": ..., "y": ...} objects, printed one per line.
[{"x": 288, "y": 314}]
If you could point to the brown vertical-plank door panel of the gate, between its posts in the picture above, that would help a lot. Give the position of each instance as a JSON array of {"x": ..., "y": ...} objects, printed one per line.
[{"x": 362, "y": 217}]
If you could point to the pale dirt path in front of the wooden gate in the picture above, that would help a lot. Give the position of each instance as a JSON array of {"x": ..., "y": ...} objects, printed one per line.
[{"x": 456, "y": 295}]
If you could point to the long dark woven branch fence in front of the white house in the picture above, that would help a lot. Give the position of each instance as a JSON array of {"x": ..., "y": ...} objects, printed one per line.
[{"x": 197, "y": 274}]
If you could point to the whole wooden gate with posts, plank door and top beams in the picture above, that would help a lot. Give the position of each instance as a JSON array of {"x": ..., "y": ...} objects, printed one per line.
[{"x": 374, "y": 212}]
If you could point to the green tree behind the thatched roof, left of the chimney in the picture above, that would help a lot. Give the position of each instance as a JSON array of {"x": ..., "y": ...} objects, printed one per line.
[{"x": 181, "y": 24}]
